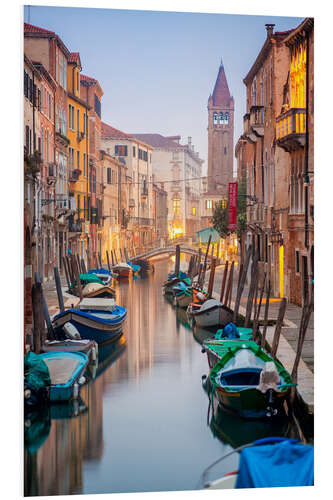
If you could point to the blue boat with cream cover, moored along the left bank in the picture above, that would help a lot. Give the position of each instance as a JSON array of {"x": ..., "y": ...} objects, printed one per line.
[{"x": 95, "y": 319}]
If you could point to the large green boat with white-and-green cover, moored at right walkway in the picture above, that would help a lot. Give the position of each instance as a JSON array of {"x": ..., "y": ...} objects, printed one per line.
[{"x": 248, "y": 381}]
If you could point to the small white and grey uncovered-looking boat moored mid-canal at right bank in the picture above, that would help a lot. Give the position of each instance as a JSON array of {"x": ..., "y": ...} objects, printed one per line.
[{"x": 210, "y": 313}]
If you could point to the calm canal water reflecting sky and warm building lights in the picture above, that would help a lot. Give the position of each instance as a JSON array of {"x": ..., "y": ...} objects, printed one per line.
[{"x": 141, "y": 424}]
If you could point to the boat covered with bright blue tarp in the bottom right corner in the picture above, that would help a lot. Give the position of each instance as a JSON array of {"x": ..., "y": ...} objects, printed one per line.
[{"x": 267, "y": 463}]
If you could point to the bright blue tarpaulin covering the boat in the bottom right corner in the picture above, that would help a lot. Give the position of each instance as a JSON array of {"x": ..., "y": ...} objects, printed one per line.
[{"x": 286, "y": 463}]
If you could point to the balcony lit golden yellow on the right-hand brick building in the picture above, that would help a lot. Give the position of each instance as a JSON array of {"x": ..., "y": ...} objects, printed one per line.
[{"x": 290, "y": 129}]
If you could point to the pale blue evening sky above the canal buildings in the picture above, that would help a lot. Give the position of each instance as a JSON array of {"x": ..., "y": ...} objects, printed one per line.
[{"x": 157, "y": 69}]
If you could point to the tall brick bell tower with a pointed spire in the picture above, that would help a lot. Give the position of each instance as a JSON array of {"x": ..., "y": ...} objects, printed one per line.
[{"x": 220, "y": 135}]
